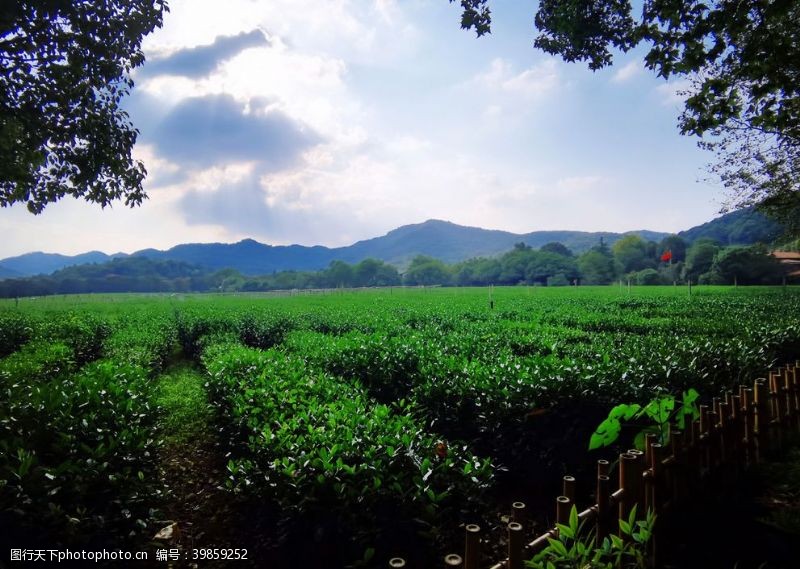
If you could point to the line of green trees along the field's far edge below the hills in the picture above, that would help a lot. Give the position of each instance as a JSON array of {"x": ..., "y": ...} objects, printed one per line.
[{"x": 631, "y": 259}]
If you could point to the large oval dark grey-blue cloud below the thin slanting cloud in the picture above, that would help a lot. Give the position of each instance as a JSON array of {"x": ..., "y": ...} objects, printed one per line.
[{"x": 204, "y": 131}]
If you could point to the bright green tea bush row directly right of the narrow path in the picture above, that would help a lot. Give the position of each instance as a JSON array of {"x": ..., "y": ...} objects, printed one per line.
[{"x": 316, "y": 442}]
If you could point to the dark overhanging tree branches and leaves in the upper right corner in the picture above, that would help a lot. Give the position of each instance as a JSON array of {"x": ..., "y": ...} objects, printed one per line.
[{"x": 743, "y": 60}]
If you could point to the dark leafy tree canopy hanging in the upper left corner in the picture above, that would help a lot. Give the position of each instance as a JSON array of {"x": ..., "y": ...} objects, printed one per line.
[{"x": 64, "y": 67}]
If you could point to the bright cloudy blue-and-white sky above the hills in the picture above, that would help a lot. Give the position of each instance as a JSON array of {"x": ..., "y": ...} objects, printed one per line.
[{"x": 330, "y": 121}]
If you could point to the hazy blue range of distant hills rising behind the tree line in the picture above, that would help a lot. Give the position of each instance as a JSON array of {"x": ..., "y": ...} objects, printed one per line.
[{"x": 439, "y": 239}]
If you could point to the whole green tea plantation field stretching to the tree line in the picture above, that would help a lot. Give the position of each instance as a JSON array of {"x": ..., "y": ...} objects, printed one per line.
[{"x": 354, "y": 426}]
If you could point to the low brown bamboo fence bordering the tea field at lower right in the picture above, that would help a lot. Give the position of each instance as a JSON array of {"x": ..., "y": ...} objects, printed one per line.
[{"x": 734, "y": 432}]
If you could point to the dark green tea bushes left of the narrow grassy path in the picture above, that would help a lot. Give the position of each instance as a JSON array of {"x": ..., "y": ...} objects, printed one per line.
[{"x": 76, "y": 447}]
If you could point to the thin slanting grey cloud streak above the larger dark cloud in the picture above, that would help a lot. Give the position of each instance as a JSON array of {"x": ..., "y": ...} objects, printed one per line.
[{"x": 200, "y": 61}]
